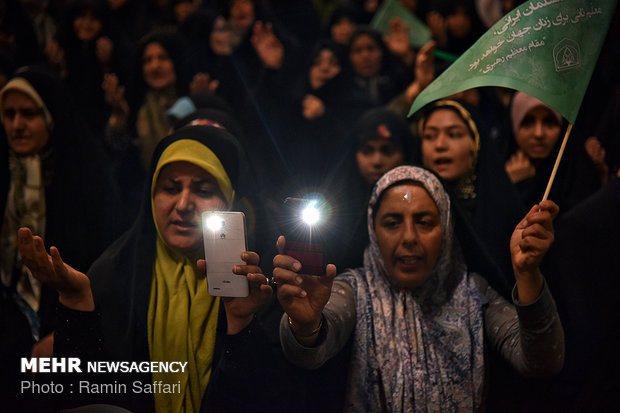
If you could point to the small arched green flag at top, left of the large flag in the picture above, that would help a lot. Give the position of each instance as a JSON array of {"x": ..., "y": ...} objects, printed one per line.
[{"x": 419, "y": 34}]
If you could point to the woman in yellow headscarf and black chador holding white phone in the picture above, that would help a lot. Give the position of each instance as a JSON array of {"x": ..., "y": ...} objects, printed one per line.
[{"x": 147, "y": 289}]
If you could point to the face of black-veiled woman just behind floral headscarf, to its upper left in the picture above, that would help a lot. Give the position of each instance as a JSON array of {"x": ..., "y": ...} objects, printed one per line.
[{"x": 376, "y": 157}]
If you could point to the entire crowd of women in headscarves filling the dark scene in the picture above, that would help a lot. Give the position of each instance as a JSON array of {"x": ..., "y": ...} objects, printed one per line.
[{"x": 446, "y": 281}]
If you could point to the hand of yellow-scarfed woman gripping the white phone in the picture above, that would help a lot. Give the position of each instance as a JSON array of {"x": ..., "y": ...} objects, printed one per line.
[{"x": 240, "y": 310}]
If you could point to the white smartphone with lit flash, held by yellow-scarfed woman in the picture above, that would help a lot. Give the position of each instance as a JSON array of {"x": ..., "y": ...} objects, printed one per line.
[{"x": 224, "y": 240}]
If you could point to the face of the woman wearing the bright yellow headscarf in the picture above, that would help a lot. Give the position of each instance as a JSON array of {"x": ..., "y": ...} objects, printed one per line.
[{"x": 183, "y": 191}]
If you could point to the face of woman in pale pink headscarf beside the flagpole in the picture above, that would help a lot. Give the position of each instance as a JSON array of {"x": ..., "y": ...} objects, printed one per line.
[{"x": 538, "y": 133}]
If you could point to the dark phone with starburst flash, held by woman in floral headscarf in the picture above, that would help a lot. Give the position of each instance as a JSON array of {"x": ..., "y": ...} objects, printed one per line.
[{"x": 303, "y": 223}]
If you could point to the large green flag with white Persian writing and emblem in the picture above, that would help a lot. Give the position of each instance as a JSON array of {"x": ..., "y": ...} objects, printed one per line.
[{"x": 547, "y": 49}]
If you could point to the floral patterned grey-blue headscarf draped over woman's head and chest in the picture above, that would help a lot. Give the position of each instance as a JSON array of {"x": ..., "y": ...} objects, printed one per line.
[{"x": 421, "y": 349}]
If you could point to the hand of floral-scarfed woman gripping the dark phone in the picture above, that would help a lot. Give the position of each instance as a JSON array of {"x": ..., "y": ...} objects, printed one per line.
[{"x": 302, "y": 296}]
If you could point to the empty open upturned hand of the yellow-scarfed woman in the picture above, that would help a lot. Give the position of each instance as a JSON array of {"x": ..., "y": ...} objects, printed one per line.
[{"x": 73, "y": 286}]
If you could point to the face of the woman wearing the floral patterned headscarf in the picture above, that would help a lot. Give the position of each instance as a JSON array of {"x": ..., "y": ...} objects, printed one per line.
[{"x": 408, "y": 229}]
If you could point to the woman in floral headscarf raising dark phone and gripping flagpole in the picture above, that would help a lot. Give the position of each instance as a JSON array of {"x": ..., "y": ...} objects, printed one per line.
[{"x": 420, "y": 322}]
